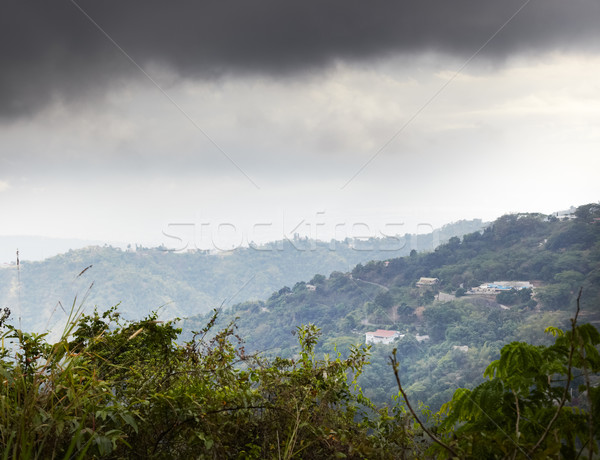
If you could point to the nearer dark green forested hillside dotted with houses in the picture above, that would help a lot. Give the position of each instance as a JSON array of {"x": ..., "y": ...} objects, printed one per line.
[{"x": 465, "y": 331}]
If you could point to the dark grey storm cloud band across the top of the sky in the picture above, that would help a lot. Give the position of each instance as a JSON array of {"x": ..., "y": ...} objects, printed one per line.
[{"x": 50, "y": 50}]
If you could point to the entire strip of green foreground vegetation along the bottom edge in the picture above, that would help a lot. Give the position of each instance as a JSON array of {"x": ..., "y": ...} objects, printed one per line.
[{"x": 114, "y": 389}]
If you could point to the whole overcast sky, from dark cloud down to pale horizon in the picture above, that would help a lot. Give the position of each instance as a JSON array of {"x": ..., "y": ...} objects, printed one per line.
[{"x": 220, "y": 123}]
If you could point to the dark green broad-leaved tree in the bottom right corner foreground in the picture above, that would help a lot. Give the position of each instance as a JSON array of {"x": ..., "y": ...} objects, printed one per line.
[{"x": 524, "y": 410}]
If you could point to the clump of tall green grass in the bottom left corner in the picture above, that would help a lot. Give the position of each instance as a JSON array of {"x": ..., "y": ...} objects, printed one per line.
[{"x": 50, "y": 398}]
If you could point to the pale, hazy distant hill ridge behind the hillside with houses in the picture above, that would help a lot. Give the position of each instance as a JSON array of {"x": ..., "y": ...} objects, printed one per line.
[{"x": 187, "y": 283}]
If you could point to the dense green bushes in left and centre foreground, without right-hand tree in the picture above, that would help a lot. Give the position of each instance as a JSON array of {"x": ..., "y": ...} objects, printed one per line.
[{"x": 114, "y": 389}]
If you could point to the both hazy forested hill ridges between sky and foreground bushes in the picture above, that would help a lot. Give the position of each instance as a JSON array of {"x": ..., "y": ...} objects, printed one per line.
[{"x": 447, "y": 332}]
